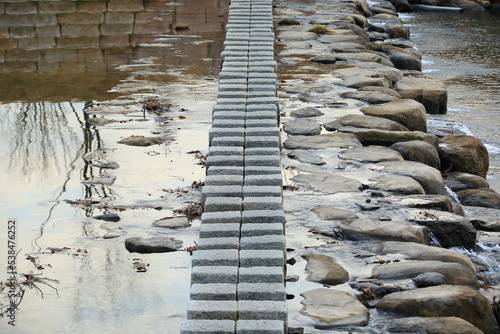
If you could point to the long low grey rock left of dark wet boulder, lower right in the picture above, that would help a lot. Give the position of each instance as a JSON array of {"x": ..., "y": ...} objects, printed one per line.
[{"x": 367, "y": 229}]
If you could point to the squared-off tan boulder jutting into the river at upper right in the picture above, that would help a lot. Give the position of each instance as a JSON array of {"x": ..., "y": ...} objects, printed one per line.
[{"x": 430, "y": 92}]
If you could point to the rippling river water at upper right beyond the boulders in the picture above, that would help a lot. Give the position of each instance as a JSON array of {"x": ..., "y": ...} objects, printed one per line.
[{"x": 463, "y": 50}]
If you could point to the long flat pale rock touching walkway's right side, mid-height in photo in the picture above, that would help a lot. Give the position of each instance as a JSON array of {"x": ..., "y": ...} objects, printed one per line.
[{"x": 322, "y": 141}]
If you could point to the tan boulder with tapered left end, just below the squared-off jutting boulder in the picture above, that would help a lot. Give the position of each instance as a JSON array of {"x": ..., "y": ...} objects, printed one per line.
[{"x": 409, "y": 113}]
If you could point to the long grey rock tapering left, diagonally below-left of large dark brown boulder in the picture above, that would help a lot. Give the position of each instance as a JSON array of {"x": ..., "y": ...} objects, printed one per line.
[{"x": 429, "y": 178}]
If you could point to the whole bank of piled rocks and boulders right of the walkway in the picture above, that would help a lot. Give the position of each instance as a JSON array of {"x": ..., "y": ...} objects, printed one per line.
[{"x": 371, "y": 218}]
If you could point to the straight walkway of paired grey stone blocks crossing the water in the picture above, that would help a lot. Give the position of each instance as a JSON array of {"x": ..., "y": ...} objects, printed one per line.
[{"x": 238, "y": 270}]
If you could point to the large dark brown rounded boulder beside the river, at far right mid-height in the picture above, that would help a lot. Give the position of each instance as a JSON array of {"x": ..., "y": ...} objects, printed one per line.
[{"x": 463, "y": 154}]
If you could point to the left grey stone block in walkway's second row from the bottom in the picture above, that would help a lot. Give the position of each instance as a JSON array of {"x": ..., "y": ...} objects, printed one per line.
[{"x": 212, "y": 310}]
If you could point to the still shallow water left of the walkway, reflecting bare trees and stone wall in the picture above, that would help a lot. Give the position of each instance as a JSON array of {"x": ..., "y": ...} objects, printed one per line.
[{"x": 44, "y": 136}]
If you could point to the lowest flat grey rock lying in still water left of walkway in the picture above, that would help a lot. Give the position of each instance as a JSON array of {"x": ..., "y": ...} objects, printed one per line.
[{"x": 147, "y": 245}]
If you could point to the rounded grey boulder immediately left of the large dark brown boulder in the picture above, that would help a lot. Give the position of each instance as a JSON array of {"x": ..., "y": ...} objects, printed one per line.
[{"x": 419, "y": 151}]
